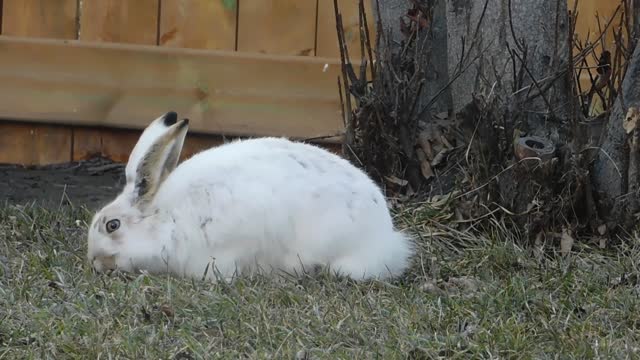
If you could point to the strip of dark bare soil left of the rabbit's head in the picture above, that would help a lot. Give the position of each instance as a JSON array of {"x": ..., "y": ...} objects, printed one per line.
[{"x": 90, "y": 183}]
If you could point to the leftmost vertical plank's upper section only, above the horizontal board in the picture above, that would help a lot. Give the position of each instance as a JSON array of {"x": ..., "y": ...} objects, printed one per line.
[{"x": 40, "y": 18}]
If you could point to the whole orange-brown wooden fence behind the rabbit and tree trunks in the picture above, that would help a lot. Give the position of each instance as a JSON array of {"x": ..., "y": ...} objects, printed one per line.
[{"x": 82, "y": 77}]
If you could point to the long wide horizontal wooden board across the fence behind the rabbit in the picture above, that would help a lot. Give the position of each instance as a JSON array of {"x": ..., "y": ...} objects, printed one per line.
[{"x": 92, "y": 84}]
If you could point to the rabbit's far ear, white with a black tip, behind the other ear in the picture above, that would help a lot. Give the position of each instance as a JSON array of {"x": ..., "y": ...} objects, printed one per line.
[{"x": 158, "y": 128}]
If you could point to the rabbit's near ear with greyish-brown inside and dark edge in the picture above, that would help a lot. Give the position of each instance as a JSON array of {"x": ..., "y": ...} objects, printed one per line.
[{"x": 158, "y": 160}]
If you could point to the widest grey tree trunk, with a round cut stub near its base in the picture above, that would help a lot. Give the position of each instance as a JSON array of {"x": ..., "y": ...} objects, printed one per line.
[{"x": 508, "y": 57}]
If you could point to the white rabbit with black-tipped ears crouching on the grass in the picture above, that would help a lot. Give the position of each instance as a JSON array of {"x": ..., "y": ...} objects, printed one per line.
[{"x": 259, "y": 204}]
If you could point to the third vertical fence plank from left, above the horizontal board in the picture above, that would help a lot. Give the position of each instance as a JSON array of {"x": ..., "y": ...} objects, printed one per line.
[{"x": 198, "y": 24}]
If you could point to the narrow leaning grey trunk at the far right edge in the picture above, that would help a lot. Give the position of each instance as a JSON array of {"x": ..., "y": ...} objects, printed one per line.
[{"x": 610, "y": 169}]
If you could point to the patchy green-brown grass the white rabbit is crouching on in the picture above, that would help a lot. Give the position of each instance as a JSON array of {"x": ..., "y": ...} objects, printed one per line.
[{"x": 488, "y": 299}]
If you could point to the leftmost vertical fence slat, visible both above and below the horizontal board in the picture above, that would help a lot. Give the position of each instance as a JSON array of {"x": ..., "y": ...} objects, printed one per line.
[{"x": 37, "y": 144}]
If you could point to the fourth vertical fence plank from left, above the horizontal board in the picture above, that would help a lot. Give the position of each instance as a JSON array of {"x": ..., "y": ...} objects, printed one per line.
[{"x": 284, "y": 27}]
